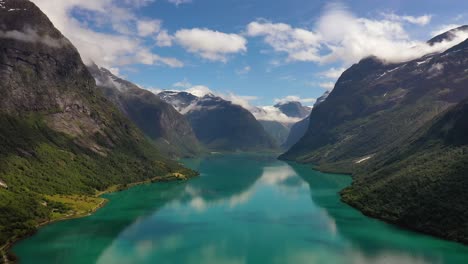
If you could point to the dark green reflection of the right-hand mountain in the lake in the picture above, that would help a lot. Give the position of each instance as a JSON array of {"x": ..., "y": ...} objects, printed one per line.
[{"x": 370, "y": 240}]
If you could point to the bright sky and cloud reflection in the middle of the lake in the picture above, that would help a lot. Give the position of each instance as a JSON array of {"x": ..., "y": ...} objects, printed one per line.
[{"x": 323, "y": 243}]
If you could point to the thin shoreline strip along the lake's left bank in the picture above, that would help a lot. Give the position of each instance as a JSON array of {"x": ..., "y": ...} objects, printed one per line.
[{"x": 5, "y": 250}]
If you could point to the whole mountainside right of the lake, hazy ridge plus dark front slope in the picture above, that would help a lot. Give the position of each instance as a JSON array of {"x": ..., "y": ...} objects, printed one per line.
[{"x": 398, "y": 129}]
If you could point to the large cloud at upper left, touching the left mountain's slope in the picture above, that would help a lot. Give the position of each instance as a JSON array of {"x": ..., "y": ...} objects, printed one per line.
[{"x": 113, "y": 49}]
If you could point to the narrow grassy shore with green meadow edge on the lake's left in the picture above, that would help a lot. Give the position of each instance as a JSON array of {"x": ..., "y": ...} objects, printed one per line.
[{"x": 5, "y": 250}]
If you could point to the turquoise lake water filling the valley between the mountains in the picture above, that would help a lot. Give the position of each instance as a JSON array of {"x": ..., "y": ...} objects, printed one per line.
[{"x": 242, "y": 209}]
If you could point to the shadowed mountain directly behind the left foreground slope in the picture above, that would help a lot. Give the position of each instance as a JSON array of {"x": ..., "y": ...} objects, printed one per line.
[{"x": 157, "y": 119}]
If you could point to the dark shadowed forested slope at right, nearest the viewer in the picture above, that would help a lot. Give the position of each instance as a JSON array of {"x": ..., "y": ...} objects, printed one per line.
[{"x": 422, "y": 183}]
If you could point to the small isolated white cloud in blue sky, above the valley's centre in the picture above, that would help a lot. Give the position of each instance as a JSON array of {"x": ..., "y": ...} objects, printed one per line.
[{"x": 209, "y": 44}]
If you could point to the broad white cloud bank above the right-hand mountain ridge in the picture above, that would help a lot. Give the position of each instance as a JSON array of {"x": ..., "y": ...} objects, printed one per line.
[{"x": 340, "y": 36}]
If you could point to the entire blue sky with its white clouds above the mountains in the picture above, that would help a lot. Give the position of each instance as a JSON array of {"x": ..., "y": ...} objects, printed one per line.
[{"x": 288, "y": 51}]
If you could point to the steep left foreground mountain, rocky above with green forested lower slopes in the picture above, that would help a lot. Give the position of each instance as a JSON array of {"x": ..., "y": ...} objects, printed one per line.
[{"x": 58, "y": 133}]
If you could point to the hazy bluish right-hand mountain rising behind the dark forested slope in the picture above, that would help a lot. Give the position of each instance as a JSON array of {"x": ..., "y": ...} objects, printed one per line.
[{"x": 376, "y": 105}]
